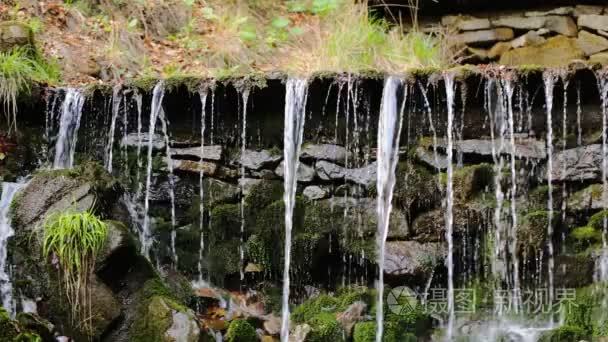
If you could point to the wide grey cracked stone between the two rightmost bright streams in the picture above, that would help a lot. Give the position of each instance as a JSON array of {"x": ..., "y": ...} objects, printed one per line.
[{"x": 578, "y": 164}]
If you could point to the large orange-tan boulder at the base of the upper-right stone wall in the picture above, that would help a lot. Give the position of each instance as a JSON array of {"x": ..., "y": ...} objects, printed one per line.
[{"x": 556, "y": 51}]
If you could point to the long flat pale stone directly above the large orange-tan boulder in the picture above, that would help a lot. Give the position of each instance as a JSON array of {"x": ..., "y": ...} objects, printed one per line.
[{"x": 559, "y": 24}]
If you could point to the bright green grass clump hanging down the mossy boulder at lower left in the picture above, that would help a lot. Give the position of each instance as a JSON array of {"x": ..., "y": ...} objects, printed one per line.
[{"x": 75, "y": 239}]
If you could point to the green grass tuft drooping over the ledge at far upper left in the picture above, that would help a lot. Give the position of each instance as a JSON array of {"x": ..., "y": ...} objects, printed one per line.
[{"x": 19, "y": 69}]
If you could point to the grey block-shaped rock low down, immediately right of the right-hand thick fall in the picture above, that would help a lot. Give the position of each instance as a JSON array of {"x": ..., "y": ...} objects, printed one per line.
[{"x": 412, "y": 258}]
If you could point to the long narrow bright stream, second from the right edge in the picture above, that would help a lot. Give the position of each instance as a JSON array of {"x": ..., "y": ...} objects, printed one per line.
[{"x": 549, "y": 80}]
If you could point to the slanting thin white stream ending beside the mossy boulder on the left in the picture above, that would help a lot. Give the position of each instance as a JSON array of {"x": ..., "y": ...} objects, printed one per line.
[{"x": 157, "y": 101}]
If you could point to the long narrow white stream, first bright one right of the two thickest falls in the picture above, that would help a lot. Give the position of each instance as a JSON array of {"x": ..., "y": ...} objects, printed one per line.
[{"x": 449, "y": 89}]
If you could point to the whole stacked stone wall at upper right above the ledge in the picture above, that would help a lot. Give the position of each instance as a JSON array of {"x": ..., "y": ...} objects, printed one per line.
[{"x": 553, "y": 38}]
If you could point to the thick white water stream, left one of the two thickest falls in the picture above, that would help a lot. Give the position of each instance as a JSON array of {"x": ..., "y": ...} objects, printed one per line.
[{"x": 295, "y": 113}]
